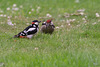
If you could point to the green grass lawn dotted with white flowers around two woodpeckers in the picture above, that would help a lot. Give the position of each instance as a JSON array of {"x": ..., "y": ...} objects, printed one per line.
[{"x": 68, "y": 46}]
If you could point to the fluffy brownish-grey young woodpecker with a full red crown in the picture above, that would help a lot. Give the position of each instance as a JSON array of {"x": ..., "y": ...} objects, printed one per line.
[{"x": 47, "y": 27}]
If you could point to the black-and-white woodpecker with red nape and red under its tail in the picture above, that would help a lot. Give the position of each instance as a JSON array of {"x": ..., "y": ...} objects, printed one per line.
[{"x": 29, "y": 31}]
